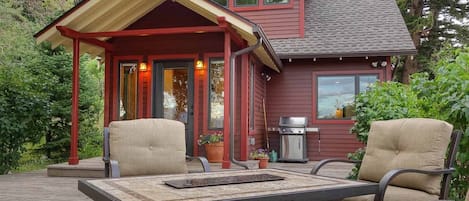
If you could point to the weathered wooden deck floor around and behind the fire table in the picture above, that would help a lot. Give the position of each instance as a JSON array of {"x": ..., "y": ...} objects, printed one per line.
[{"x": 33, "y": 186}]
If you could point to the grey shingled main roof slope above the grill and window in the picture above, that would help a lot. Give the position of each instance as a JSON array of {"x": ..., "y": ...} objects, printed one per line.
[{"x": 349, "y": 28}]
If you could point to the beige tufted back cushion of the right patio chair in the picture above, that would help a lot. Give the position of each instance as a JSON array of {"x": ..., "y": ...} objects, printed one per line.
[{"x": 406, "y": 143}]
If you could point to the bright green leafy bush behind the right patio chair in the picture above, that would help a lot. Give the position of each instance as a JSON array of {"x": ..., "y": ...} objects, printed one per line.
[{"x": 442, "y": 95}]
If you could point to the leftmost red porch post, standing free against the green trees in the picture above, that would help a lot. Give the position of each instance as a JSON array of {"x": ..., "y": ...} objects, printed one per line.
[{"x": 73, "y": 160}]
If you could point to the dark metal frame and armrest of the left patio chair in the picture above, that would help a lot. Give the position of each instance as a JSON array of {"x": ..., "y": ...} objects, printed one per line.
[{"x": 111, "y": 167}]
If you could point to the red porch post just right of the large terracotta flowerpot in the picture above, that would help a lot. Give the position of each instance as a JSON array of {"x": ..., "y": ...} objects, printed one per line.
[{"x": 226, "y": 121}]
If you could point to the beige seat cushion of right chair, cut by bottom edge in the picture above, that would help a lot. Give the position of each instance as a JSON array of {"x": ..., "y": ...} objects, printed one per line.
[{"x": 398, "y": 194}]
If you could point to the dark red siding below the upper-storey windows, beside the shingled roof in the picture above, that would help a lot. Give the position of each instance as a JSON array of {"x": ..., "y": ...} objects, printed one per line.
[{"x": 278, "y": 23}]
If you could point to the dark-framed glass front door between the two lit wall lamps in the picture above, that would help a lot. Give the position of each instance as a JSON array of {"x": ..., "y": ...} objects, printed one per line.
[{"x": 173, "y": 94}]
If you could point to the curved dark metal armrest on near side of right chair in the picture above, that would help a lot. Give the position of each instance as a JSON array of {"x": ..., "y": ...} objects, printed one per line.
[{"x": 384, "y": 182}]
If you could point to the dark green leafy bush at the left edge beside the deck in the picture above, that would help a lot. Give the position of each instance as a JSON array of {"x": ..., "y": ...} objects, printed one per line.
[{"x": 23, "y": 112}]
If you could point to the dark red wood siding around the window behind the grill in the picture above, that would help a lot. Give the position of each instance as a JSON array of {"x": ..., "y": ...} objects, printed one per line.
[{"x": 290, "y": 93}]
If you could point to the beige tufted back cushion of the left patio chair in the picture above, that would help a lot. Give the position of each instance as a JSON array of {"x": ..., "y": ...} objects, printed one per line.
[{"x": 148, "y": 146}]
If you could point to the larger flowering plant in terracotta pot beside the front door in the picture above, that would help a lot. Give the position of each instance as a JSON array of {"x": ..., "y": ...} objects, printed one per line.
[{"x": 213, "y": 143}]
